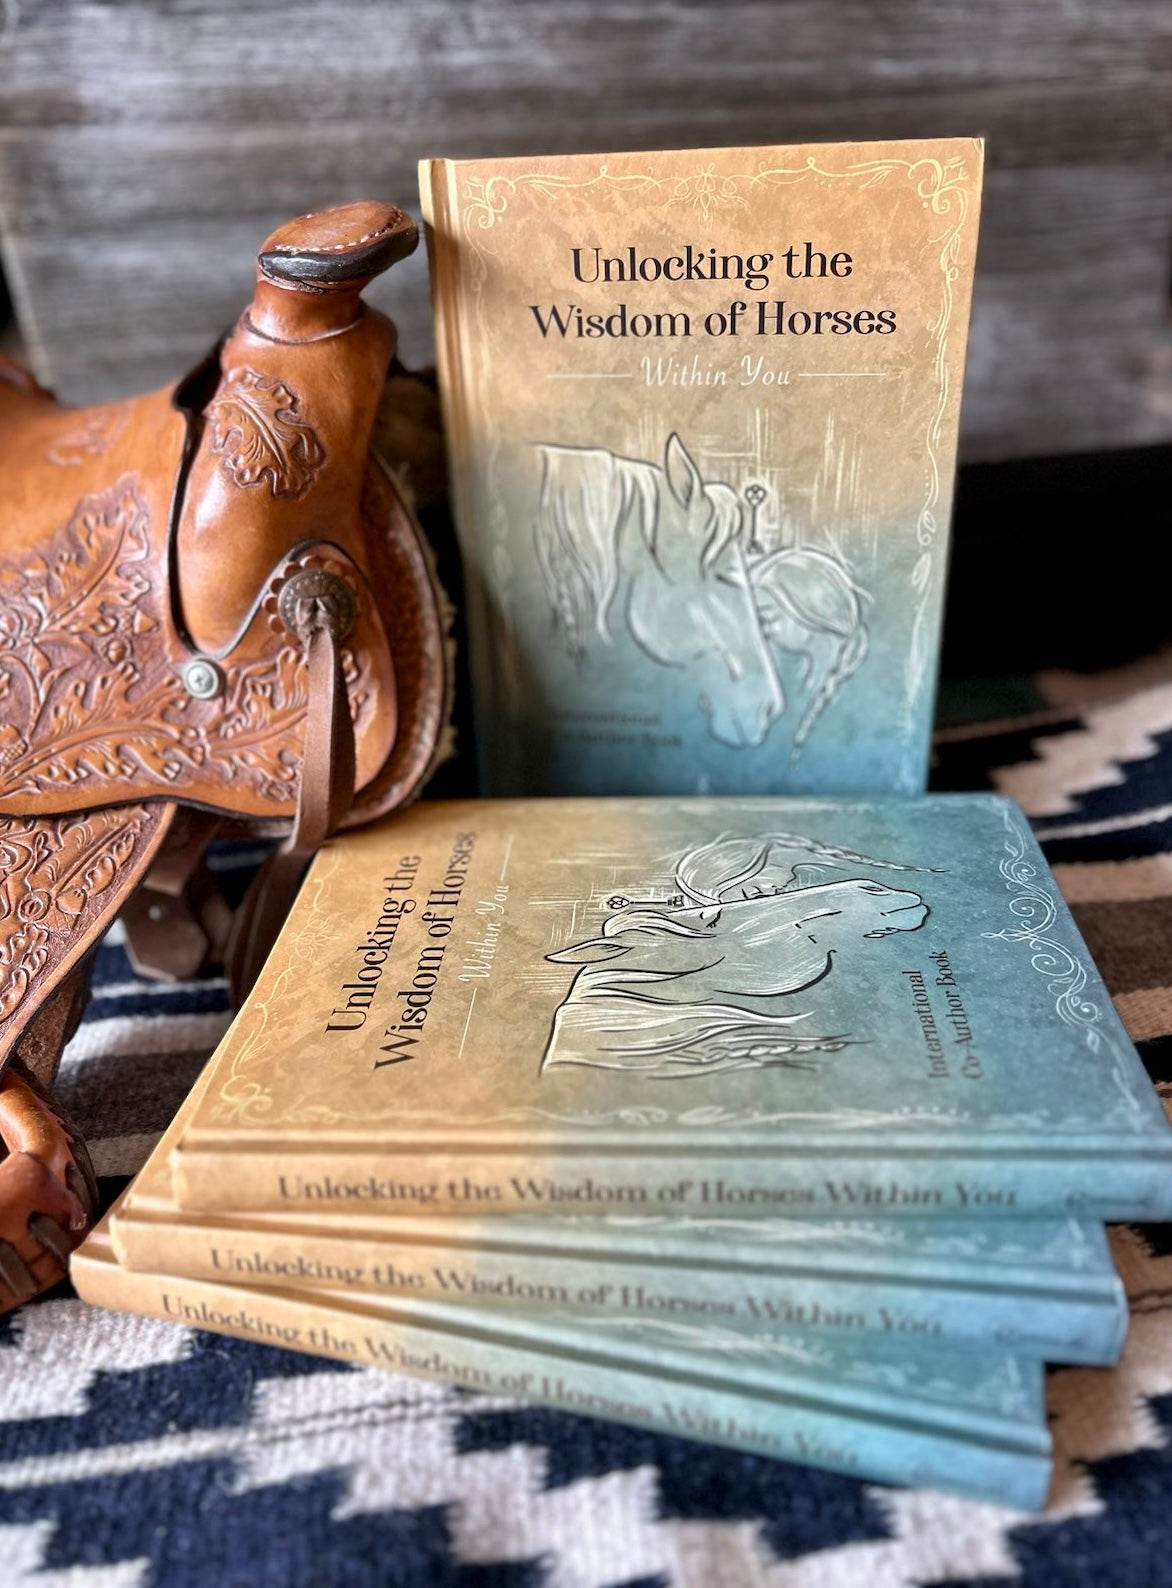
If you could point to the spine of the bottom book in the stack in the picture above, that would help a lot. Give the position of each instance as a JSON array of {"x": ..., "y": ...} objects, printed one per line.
[{"x": 795, "y": 1432}]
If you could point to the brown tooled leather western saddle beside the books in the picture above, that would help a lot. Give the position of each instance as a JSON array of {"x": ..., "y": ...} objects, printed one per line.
[{"x": 217, "y": 615}]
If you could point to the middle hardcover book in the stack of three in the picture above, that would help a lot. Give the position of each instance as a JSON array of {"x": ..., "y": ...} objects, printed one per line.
[{"x": 1033, "y": 1287}]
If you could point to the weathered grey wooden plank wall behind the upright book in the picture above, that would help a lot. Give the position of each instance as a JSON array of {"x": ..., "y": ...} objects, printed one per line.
[{"x": 148, "y": 145}]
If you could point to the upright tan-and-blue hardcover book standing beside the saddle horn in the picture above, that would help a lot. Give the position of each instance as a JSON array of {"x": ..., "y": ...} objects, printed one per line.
[{"x": 703, "y": 415}]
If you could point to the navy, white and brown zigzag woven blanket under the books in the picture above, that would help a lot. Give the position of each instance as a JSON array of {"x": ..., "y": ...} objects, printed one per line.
[{"x": 139, "y": 1455}]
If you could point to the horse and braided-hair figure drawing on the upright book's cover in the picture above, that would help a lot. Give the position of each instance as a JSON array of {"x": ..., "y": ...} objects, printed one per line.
[{"x": 761, "y": 636}]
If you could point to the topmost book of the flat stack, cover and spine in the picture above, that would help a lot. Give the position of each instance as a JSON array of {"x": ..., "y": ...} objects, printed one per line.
[{"x": 731, "y": 1008}]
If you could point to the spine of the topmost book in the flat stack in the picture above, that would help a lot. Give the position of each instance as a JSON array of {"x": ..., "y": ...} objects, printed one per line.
[{"x": 798, "y": 1184}]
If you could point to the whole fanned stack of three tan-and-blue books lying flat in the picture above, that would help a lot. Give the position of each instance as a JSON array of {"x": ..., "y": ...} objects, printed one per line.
[{"x": 781, "y": 1124}]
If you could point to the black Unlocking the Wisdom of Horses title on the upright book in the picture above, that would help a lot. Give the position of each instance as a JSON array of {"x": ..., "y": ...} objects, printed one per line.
[{"x": 758, "y": 317}]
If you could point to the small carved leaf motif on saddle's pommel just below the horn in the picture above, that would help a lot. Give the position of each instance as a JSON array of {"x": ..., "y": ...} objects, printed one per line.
[{"x": 263, "y": 437}]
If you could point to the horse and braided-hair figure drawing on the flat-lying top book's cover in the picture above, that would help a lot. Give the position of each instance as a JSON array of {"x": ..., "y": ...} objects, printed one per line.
[{"x": 709, "y": 979}]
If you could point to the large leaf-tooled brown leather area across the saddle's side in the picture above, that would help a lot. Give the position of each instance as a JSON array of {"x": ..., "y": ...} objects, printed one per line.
[{"x": 91, "y": 693}]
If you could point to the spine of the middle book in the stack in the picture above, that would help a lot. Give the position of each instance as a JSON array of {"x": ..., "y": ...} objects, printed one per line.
[{"x": 1058, "y": 1328}]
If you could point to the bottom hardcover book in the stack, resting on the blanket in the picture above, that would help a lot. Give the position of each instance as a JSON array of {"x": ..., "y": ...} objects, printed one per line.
[{"x": 976, "y": 1430}]
